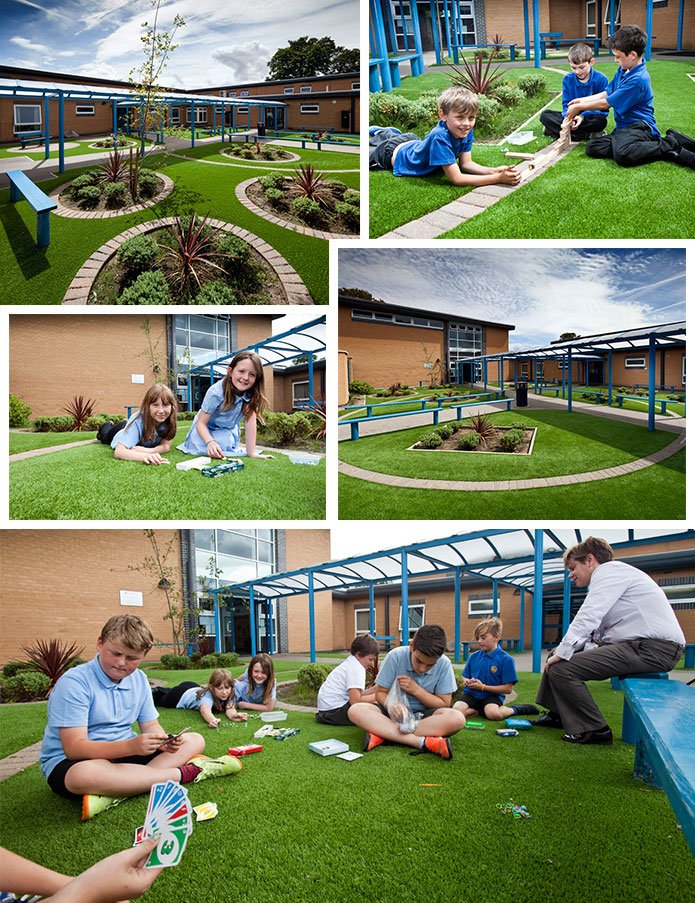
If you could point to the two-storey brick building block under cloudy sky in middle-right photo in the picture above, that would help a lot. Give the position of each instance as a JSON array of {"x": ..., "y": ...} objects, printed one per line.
[{"x": 383, "y": 343}]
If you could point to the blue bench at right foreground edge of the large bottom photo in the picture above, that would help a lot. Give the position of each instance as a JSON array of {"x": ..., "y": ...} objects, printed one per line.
[{"x": 663, "y": 712}]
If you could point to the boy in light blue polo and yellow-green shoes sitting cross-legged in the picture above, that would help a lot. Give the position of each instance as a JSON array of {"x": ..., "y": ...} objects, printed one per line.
[{"x": 90, "y": 750}]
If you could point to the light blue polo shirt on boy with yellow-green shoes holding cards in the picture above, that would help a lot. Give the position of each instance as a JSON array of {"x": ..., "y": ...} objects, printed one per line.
[{"x": 86, "y": 697}]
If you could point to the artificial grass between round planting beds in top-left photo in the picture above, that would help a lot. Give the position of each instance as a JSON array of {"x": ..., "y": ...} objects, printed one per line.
[{"x": 42, "y": 276}]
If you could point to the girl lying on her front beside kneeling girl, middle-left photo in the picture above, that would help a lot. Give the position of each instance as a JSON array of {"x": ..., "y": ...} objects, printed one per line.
[{"x": 147, "y": 435}]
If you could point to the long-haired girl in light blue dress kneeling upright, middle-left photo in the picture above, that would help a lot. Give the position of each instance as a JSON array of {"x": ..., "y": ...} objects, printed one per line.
[{"x": 216, "y": 429}]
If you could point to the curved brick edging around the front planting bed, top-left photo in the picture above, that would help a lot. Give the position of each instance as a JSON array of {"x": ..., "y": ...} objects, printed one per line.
[{"x": 80, "y": 287}]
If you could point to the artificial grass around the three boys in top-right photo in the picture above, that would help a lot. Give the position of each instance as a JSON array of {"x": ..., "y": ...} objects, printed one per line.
[{"x": 577, "y": 197}]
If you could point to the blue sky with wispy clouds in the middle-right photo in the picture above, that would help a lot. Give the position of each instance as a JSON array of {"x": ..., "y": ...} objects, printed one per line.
[{"x": 542, "y": 292}]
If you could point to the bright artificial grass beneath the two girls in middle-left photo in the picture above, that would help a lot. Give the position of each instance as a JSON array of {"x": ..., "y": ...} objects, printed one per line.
[{"x": 89, "y": 483}]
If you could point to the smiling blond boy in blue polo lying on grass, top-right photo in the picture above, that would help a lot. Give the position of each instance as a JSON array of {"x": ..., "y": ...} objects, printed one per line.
[{"x": 447, "y": 146}]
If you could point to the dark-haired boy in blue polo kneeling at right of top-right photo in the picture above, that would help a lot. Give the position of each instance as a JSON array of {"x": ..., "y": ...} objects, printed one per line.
[{"x": 636, "y": 139}]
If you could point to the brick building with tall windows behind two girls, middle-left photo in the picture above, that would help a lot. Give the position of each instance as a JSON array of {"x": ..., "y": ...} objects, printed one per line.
[{"x": 113, "y": 359}]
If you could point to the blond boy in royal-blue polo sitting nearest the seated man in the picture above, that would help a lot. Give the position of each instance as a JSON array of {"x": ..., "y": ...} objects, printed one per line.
[{"x": 489, "y": 676}]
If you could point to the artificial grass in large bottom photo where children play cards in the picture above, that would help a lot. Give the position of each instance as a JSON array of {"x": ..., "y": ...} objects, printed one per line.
[{"x": 295, "y": 826}]
